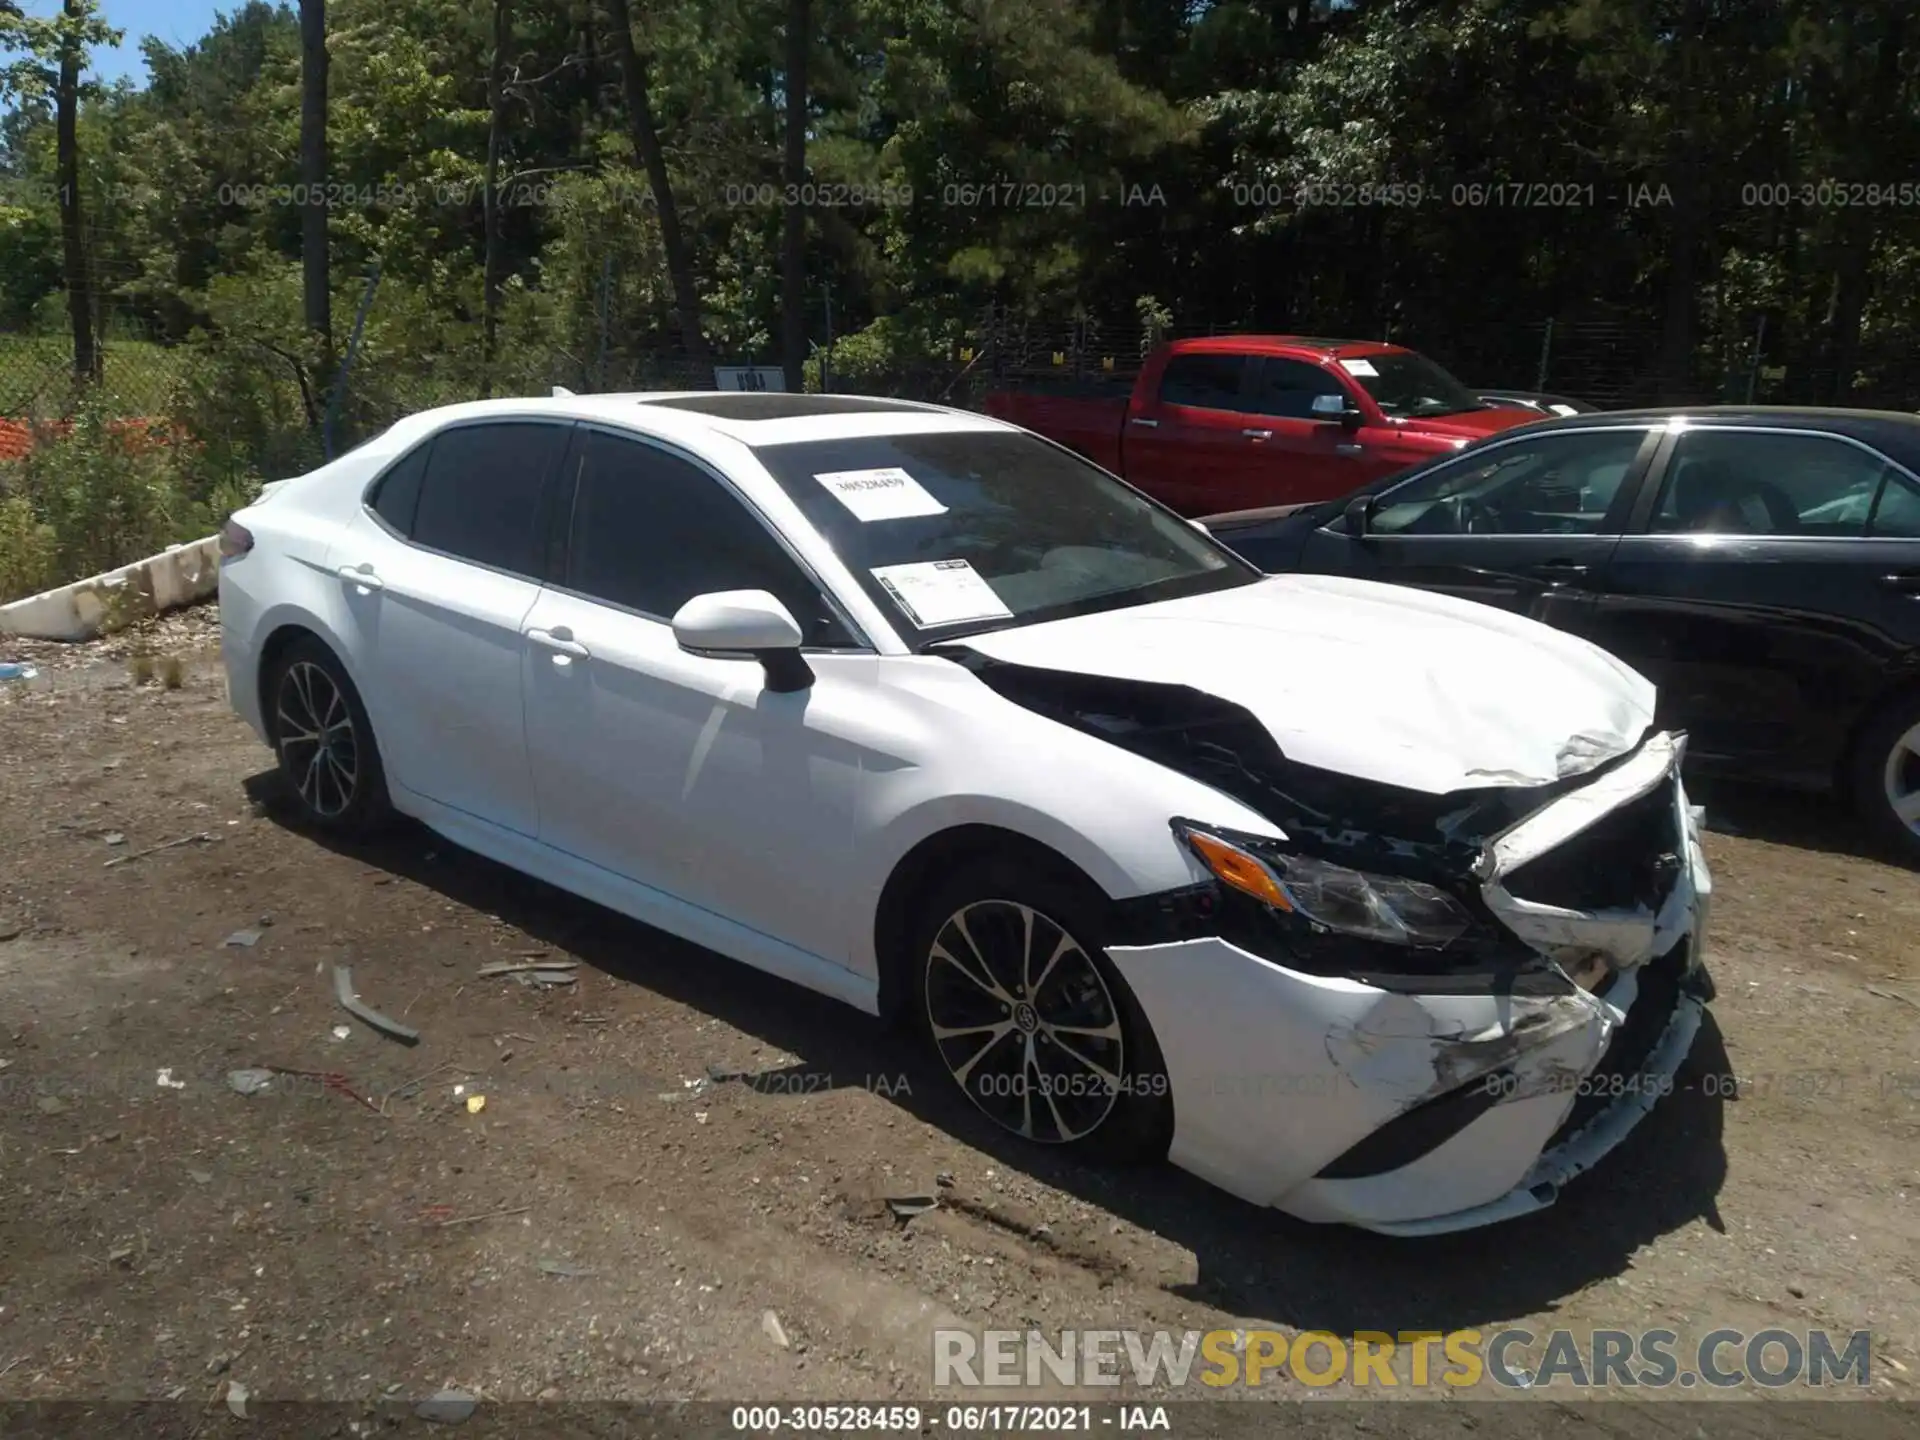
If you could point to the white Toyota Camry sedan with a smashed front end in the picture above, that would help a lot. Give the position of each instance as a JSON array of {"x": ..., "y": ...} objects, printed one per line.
[{"x": 1364, "y": 903}]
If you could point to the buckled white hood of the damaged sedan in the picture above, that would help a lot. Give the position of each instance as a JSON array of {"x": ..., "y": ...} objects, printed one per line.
[{"x": 1380, "y": 683}]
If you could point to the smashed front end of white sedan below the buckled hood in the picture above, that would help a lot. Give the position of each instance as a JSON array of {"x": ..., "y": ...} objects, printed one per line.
[{"x": 1508, "y": 978}]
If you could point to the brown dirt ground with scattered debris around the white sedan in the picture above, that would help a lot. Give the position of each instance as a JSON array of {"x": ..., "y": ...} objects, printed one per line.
[{"x": 669, "y": 1178}]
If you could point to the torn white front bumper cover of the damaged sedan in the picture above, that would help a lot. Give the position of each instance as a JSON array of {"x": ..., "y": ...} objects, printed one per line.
[{"x": 1280, "y": 1074}]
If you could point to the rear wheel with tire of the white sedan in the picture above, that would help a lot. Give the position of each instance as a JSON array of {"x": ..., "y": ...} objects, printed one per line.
[{"x": 324, "y": 742}]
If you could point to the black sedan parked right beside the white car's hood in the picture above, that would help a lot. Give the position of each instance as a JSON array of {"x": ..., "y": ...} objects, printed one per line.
[{"x": 1760, "y": 565}]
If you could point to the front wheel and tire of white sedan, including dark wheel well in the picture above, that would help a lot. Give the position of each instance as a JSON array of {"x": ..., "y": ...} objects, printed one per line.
[{"x": 1032, "y": 1020}]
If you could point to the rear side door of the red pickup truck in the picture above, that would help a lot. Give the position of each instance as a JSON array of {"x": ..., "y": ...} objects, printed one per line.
[{"x": 1186, "y": 435}]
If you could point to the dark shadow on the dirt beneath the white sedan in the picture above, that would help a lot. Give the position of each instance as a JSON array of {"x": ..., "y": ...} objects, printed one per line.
[{"x": 1251, "y": 1262}]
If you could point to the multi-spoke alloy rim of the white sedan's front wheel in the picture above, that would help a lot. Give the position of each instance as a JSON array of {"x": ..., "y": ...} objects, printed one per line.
[{"x": 1024, "y": 1022}]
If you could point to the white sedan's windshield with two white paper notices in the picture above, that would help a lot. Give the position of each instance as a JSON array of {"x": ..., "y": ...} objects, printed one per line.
[{"x": 959, "y": 533}]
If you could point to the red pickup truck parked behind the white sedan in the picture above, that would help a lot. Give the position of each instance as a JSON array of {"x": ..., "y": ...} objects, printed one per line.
[{"x": 1237, "y": 423}]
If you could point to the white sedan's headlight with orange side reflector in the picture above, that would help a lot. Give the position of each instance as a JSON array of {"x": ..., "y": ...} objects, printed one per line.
[{"x": 1335, "y": 898}]
